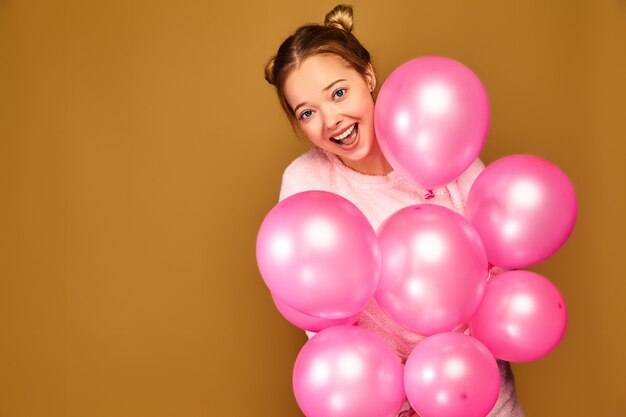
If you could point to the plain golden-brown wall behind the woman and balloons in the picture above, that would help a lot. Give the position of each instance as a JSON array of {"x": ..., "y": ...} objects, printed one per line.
[{"x": 140, "y": 149}]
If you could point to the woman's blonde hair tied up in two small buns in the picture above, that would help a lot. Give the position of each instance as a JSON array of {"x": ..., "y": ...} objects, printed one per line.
[{"x": 333, "y": 37}]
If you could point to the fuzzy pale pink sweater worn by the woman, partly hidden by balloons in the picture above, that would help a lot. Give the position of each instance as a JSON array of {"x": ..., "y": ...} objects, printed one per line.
[{"x": 378, "y": 196}]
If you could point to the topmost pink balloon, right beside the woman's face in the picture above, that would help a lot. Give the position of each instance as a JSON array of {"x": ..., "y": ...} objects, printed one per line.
[{"x": 431, "y": 120}]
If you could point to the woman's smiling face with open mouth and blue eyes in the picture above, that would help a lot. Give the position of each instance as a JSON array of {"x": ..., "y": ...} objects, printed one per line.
[{"x": 333, "y": 105}]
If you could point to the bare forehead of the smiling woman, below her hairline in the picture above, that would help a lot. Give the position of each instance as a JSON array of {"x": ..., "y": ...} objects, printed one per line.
[{"x": 307, "y": 80}]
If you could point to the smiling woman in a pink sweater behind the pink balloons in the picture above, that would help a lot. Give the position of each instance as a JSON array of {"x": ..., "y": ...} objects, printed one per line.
[{"x": 325, "y": 82}]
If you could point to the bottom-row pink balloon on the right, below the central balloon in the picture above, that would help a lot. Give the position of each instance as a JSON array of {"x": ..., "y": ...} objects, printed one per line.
[{"x": 451, "y": 375}]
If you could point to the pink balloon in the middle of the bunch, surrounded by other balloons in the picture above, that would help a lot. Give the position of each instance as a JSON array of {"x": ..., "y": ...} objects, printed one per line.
[{"x": 434, "y": 268}]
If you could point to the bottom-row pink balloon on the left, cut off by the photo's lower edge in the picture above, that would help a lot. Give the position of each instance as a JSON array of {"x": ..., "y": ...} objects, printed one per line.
[{"x": 347, "y": 371}]
